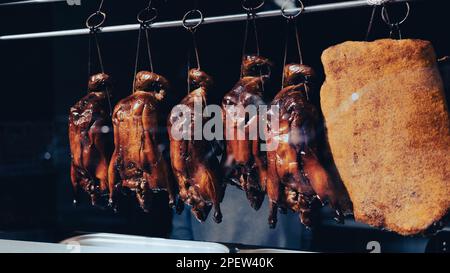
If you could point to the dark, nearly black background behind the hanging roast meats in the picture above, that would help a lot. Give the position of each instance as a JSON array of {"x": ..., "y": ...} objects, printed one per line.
[{"x": 41, "y": 79}]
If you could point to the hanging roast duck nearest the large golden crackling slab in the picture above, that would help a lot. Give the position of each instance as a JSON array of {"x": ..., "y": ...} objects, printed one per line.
[{"x": 297, "y": 179}]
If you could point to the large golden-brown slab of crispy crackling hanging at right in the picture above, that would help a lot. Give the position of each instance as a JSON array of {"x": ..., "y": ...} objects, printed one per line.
[{"x": 388, "y": 128}]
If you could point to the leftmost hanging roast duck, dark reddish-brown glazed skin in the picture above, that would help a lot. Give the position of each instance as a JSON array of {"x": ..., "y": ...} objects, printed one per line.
[{"x": 91, "y": 144}]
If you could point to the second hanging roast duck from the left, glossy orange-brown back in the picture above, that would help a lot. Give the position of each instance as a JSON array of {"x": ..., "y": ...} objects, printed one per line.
[{"x": 137, "y": 164}]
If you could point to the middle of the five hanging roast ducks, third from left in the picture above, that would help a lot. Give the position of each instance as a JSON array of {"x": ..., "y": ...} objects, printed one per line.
[{"x": 194, "y": 162}]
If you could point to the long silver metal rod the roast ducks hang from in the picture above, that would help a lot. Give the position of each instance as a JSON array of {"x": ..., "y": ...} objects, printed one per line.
[{"x": 208, "y": 20}]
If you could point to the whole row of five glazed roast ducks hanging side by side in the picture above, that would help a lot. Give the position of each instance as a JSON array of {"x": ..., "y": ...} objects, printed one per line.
[{"x": 291, "y": 175}]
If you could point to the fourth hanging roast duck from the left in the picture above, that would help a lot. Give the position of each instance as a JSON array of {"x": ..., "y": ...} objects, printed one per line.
[{"x": 245, "y": 163}]
